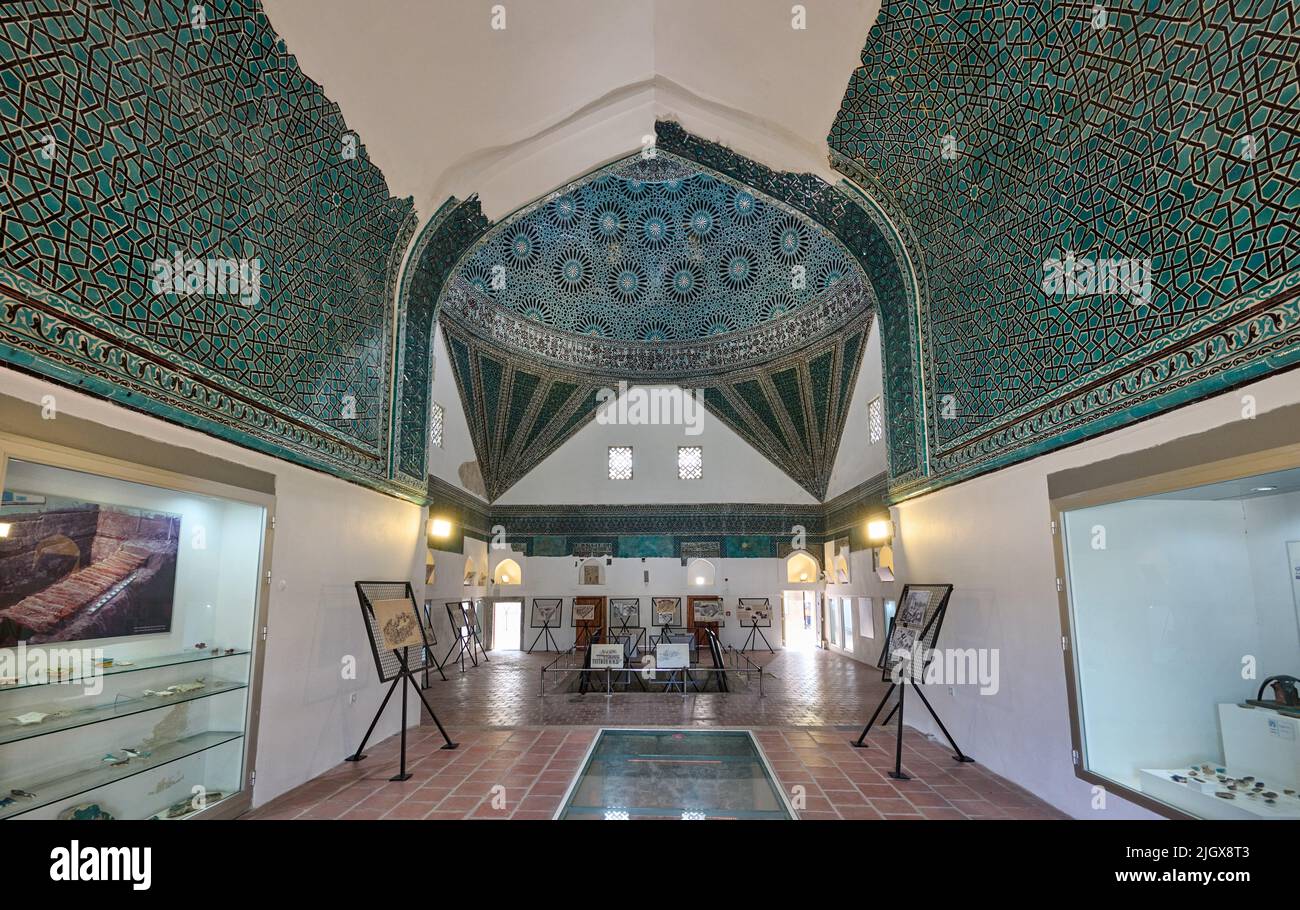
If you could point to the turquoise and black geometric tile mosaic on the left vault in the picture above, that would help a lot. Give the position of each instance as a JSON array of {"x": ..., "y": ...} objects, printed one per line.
[{"x": 131, "y": 136}]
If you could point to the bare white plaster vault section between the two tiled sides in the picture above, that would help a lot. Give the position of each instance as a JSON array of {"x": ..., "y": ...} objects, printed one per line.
[{"x": 447, "y": 105}]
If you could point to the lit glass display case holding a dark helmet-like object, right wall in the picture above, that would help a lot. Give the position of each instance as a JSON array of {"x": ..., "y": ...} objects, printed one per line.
[{"x": 1184, "y": 632}]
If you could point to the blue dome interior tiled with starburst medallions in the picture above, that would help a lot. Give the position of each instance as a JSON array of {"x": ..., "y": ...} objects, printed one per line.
[{"x": 655, "y": 250}]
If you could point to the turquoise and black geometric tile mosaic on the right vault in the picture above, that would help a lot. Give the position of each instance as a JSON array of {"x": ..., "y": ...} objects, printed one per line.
[{"x": 1007, "y": 136}]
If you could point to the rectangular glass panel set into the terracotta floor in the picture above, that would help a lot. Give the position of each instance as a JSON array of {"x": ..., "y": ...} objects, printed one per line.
[{"x": 674, "y": 774}]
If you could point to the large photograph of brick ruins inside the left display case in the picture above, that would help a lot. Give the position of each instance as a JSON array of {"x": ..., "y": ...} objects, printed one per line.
[{"x": 81, "y": 571}]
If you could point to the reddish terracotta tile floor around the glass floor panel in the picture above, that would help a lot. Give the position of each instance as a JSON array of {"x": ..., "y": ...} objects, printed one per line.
[{"x": 531, "y": 748}]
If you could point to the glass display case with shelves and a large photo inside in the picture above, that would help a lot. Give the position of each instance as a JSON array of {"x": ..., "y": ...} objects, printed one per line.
[{"x": 131, "y": 617}]
